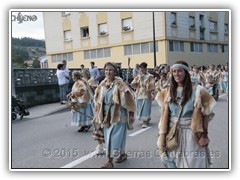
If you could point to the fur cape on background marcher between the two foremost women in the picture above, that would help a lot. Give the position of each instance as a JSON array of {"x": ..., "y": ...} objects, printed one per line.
[{"x": 144, "y": 89}]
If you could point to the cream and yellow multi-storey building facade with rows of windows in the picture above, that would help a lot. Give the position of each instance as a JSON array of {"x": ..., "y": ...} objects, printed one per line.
[{"x": 80, "y": 37}]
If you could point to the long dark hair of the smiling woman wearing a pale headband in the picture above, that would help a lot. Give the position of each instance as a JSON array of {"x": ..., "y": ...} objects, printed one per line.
[{"x": 187, "y": 86}]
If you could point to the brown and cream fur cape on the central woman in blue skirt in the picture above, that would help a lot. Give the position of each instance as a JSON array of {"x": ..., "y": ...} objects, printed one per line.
[{"x": 122, "y": 97}]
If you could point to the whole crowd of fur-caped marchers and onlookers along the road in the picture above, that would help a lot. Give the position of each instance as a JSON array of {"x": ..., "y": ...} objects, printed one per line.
[{"x": 184, "y": 95}]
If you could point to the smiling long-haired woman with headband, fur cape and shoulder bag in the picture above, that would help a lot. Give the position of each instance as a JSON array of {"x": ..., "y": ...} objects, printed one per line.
[{"x": 192, "y": 109}]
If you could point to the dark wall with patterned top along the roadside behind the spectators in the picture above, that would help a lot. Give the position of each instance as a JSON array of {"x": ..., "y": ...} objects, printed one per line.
[{"x": 40, "y": 86}]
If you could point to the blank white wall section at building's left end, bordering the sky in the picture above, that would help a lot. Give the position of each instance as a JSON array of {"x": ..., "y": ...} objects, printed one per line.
[{"x": 53, "y": 25}]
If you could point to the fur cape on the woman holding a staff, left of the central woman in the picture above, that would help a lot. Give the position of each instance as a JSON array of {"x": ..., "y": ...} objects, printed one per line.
[{"x": 81, "y": 92}]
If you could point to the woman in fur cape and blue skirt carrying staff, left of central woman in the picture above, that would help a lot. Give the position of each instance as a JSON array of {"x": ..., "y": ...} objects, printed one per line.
[{"x": 81, "y": 93}]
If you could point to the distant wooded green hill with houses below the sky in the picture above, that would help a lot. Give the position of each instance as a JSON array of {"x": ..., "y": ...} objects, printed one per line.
[{"x": 26, "y": 49}]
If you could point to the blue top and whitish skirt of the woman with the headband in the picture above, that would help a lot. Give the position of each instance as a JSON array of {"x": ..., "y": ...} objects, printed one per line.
[{"x": 188, "y": 154}]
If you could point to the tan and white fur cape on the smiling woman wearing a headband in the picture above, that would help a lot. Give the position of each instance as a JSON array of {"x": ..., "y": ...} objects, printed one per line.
[{"x": 203, "y": 106}]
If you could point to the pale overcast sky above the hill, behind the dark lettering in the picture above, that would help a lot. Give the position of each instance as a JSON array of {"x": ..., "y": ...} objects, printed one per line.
[{"x": 32, "y": 27}]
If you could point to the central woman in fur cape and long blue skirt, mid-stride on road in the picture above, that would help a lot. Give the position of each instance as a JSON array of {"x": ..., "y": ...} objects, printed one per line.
[{"x": 114, "y": 105}]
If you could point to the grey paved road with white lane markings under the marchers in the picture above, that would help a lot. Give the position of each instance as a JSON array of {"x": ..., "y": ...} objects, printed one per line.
[{"x": 50, "y": 142}]
